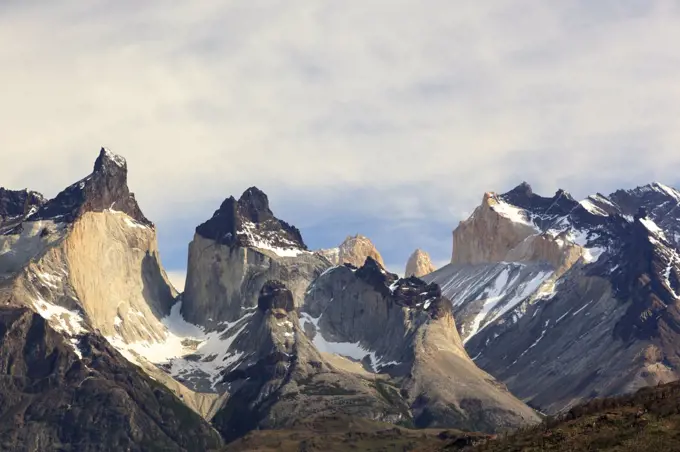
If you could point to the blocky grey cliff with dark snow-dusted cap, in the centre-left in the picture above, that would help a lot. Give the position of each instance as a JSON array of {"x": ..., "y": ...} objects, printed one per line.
[{"x": 236, "y": 252}]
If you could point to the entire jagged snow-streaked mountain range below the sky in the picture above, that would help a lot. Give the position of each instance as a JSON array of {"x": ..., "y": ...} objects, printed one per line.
[{"x": 547, "y": 302}]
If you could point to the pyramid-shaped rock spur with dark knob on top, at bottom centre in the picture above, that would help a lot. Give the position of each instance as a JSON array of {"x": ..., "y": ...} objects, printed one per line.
[{"x": 285, "y": 381}]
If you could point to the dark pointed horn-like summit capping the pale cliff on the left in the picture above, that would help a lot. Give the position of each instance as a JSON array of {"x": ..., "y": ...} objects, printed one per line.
[{"x": 104, "y": 189}]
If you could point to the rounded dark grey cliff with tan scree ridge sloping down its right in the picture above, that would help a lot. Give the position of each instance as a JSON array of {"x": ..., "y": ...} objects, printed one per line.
[{"x": 417, "y": 345}]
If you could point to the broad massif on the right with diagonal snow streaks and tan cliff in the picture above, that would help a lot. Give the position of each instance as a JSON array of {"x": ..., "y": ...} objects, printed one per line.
[{"x": 583, "y": 307}]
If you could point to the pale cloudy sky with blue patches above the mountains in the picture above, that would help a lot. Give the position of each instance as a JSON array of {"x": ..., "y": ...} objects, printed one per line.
[{"x": 384, "y": 117}]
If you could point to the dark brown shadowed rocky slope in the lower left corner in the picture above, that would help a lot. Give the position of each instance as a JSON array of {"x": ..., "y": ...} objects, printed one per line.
[{"x": 84, "y": 396}]
